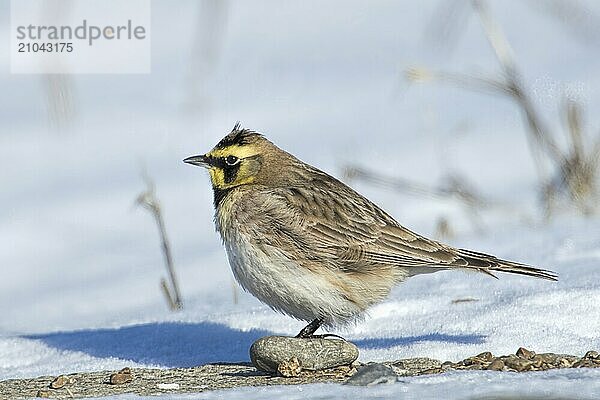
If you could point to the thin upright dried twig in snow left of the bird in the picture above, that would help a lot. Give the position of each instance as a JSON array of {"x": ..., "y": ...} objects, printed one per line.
[{"x": 149, "y": 201}]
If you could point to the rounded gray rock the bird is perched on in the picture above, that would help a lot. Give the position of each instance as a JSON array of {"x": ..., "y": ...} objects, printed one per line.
[{"x": 316, "y": 354}]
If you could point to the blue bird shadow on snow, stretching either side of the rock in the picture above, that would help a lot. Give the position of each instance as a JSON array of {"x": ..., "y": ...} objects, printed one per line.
[{"x": 178, "y": 344}]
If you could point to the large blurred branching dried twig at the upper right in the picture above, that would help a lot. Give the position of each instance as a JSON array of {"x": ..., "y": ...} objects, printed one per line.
[{"x": 576, "y": 171}]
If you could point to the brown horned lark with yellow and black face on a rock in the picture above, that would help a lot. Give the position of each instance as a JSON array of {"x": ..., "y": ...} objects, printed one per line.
[{"x": 311, "y": 247}]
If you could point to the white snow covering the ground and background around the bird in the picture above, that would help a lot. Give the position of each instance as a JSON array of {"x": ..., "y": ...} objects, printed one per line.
[{"x": 81, "y": 265}]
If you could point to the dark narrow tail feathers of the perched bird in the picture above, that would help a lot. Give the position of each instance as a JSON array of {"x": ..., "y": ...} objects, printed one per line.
[{"x": 489, "y": 264}]
